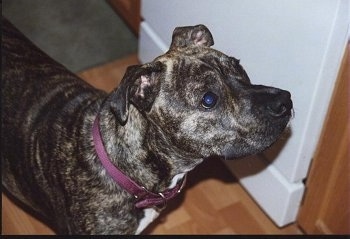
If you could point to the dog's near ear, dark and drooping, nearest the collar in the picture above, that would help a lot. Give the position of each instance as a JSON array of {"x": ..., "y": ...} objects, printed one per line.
[{"x": 139, "y": 86}]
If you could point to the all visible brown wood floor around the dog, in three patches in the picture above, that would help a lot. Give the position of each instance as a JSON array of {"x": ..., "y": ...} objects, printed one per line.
[{"x": 213, "y": 202}]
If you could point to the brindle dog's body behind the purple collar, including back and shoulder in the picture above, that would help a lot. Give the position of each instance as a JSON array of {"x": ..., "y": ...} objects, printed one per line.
[{"x": 48, "y": 157}]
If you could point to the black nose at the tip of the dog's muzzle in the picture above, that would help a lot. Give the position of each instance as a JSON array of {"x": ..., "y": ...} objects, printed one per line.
[{"x": 280, "y": 104}]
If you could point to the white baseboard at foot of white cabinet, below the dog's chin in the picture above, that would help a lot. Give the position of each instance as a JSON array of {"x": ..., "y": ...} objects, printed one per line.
[{"x": 279, "y": 198}]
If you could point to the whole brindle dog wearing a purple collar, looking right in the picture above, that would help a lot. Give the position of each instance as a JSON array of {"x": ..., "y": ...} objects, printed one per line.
[{"x": 89, "y": 162}]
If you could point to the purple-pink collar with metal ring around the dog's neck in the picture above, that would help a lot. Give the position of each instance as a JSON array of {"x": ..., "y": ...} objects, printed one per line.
[{"x": 144, "y": 197}]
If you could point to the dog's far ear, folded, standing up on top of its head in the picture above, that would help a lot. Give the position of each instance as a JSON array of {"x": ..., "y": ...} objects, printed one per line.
[{"x": 198, "y": 35}]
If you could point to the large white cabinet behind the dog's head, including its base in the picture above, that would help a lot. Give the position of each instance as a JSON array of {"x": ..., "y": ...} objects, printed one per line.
[{"x": 295, "y": 45}]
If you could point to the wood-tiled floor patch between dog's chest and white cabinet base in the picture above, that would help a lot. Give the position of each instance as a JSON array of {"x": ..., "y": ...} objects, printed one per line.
[{"x": 213, "y": 202}]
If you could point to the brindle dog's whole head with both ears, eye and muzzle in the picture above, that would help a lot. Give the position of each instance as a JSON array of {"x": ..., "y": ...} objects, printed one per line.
[{"x": 202, "y": 100}]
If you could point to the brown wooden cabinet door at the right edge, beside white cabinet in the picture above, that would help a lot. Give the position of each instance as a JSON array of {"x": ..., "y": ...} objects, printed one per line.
[{"x": 326, "y": 208}]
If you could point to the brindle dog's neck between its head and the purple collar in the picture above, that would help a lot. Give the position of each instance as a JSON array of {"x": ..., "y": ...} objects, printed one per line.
[{"x": 143, "y": 162}]
